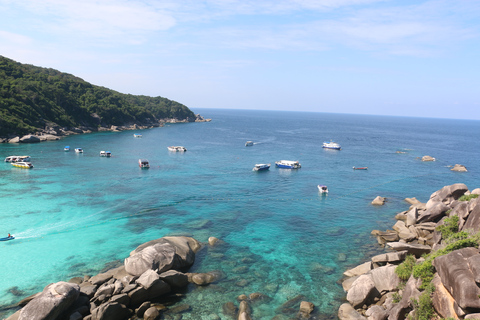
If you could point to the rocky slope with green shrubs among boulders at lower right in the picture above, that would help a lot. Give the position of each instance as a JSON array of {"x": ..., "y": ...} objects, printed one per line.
[{"x": 443, "y": 284}]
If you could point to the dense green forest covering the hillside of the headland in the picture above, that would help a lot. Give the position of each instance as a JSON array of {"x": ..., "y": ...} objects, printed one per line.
[{"x": 32, "y": 97}]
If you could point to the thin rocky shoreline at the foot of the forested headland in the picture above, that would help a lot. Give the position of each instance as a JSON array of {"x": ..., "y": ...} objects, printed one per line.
[{"x": 53, "y": 132}]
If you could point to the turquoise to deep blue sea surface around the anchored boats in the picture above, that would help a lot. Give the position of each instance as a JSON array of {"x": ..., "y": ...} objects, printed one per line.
[{"x": 77, "y": 214}]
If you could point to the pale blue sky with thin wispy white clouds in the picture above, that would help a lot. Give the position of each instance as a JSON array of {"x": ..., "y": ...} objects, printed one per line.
[{"x": 384, "y": 57}]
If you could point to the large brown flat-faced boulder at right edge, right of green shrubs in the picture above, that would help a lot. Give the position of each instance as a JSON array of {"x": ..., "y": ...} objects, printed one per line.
[{"x": 457, "y": 277}]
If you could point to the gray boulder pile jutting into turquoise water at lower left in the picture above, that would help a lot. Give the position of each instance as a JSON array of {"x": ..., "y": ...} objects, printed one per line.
[{"x": 154, "y": 270}]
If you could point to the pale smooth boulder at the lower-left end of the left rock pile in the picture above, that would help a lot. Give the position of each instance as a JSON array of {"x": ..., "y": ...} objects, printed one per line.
[{"x": 54, "y": 299}]
